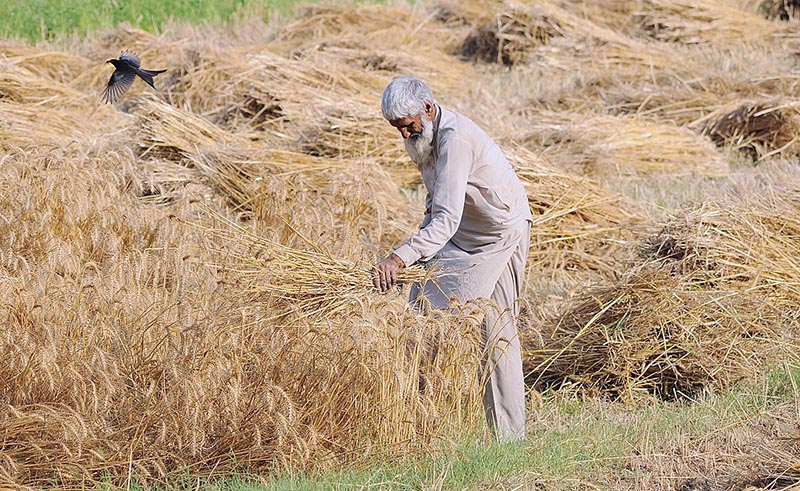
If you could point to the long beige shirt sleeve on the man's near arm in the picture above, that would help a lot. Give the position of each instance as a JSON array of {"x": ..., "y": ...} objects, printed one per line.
[{"x": 447, "y": 203}]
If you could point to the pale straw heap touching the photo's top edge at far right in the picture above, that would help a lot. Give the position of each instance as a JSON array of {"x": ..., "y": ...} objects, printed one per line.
[{"x": 712, "y": 22}]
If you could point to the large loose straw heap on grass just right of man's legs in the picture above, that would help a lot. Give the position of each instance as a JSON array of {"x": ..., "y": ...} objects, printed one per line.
[{"x": 654, "y": 334}]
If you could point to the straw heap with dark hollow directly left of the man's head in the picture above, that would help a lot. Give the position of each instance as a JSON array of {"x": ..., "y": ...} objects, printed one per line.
[{"x": 324, "y": 107}]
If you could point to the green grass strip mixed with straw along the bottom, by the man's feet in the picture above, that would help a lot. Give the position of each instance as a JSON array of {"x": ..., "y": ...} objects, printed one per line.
[{"x": 575, "y": 444}]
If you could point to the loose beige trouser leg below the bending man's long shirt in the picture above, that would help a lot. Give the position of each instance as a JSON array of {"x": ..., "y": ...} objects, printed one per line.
[{"x": 504, "y": 392}]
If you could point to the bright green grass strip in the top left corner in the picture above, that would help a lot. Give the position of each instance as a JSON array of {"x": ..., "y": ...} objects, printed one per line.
[{"x": 36, "y": 20}]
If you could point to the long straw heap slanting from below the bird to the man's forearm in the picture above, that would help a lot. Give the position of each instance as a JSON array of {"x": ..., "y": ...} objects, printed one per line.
[{"x": 350, "y": 198}]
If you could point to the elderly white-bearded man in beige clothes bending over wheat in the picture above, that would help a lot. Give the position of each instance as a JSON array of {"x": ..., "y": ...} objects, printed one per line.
[{"x": 476, "y": 233}]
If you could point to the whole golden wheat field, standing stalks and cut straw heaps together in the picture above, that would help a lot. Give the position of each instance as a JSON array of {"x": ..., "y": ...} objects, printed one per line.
[{"x": 185, "y": 278}]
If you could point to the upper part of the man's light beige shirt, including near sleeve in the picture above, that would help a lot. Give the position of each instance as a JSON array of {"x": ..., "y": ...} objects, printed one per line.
[{"x": 474, "y": 197}]
